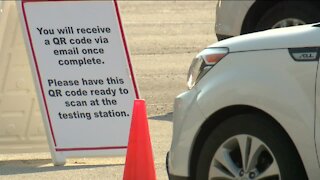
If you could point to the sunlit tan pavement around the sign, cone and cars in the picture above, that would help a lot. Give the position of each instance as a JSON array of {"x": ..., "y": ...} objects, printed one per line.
[{"x": 163, "y": 37}]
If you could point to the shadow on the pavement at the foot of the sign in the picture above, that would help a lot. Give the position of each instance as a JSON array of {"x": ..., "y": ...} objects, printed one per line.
[{"x": 15, "y": 167}]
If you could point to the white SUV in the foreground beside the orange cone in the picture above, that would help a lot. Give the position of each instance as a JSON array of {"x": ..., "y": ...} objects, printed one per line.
[{"x": 252, "y": 110}]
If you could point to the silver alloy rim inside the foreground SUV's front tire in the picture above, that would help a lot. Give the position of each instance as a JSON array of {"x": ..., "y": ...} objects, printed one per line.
[{"x": 244, "y": 157}]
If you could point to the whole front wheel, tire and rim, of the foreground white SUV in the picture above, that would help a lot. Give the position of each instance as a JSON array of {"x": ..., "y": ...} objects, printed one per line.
[{"x": 249, "y": 147}]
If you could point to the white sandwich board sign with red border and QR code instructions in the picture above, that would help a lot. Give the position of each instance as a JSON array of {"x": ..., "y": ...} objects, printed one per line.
[{"x": 83, "y": 75}]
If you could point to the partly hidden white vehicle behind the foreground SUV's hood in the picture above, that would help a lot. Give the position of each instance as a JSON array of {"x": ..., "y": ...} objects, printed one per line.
[{"x": 240, "y": 17}]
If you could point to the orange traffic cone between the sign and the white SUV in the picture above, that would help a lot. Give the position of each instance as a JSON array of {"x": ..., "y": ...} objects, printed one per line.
[{"x": 139, "y": 160}]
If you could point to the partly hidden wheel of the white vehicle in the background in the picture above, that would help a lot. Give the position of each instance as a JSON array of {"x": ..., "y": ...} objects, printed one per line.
[{"x": 285, "y": 14}]
